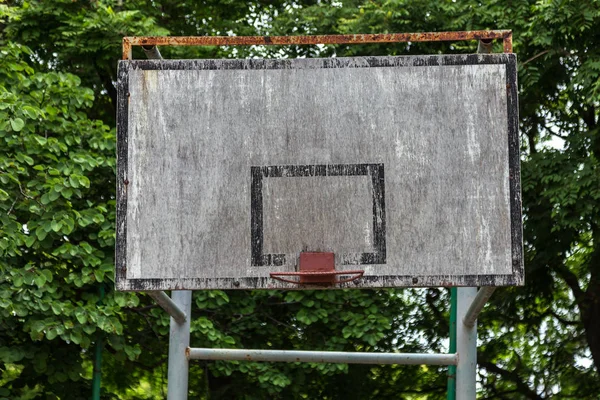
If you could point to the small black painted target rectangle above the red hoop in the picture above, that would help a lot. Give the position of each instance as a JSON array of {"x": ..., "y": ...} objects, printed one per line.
[{"x": 258, "y": 174}]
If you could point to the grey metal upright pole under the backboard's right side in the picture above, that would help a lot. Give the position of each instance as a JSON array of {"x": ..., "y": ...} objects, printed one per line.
[{"x": 466, "y": 346}]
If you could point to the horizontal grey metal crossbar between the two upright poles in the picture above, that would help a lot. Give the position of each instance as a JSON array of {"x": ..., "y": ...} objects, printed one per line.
[{"x": 320, "y": 356}]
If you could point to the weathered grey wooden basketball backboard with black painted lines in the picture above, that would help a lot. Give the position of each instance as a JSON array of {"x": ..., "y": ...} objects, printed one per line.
[{"x": 404, "y": 167}]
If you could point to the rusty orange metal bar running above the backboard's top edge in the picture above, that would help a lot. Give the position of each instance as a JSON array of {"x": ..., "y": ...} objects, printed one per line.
[{"x": 129, "y": 41}]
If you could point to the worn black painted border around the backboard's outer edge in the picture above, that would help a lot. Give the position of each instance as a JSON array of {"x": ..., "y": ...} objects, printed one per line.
[{"x": 517, "y": 277}]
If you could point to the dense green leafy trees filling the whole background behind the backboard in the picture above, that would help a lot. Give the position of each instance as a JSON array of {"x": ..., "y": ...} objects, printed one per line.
[{"x": 57, "y": 166}]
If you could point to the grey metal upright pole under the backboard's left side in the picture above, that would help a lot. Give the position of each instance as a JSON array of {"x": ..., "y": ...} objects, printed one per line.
[{"x": 179, "y": 341}]
